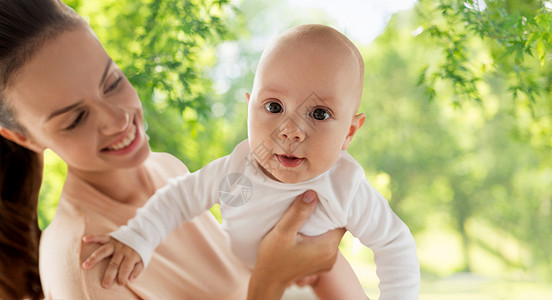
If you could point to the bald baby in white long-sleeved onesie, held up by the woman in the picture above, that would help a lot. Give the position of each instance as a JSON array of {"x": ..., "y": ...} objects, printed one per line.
[{"x": 302, "y": 116}]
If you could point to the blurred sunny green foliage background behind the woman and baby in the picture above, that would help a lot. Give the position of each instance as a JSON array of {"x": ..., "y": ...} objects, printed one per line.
[{"x": 458, "y": 134}]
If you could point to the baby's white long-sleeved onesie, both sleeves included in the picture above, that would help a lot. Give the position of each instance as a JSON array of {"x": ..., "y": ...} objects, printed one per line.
[{"x": 251, "y": 203}]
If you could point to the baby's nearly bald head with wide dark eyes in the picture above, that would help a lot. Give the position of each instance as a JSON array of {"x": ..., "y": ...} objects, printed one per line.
[{"x": 303, "y": 108}]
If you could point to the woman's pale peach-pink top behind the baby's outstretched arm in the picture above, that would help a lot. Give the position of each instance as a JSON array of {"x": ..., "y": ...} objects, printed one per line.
[{"x": 194, "y": 262}]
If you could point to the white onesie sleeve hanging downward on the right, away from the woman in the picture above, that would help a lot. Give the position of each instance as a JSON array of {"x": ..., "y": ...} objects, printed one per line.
[{"x": 372, "y": 221}]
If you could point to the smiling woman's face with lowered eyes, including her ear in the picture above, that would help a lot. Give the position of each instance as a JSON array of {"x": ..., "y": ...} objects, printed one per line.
[{"x": 73, "y": 99}]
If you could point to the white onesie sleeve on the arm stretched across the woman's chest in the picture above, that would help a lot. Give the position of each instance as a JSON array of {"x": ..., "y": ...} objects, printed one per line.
[{"x": 180, "y": 200}]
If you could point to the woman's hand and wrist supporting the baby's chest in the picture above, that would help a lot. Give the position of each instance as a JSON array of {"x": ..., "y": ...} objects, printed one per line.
[{"x": 285, "y": 256}]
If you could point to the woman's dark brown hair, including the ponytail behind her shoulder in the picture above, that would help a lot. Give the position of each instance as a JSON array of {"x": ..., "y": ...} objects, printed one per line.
[{"x": 25, "y": 25}]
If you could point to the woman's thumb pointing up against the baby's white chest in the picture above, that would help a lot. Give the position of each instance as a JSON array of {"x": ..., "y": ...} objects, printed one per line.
[{"x": 298, "y": 213}]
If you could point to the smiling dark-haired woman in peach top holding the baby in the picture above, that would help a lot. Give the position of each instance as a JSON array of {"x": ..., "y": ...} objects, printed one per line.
[{"x": 60, "y": 90}]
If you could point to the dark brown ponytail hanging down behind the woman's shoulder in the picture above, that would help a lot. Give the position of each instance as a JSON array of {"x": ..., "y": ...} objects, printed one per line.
[{"x": 20, "y": 179}]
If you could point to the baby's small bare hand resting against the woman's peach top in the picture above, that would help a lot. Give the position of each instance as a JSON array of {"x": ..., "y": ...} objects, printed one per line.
[{"x": 125, "y": 263}]
